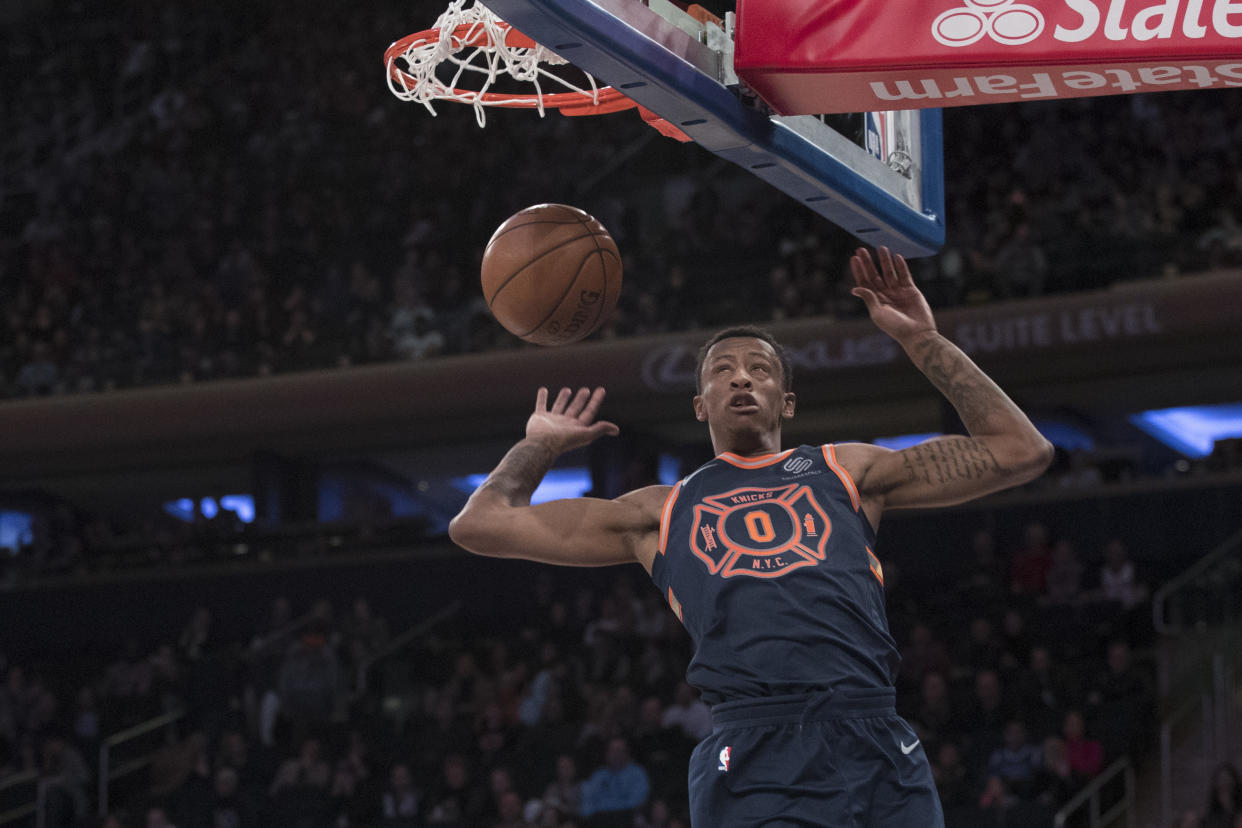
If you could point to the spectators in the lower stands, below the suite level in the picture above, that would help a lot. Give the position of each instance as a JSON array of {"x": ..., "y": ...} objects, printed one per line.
[{"x": 1018, "y": 675}]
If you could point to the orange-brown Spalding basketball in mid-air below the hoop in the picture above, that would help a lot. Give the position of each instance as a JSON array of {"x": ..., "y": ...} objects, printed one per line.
[{"x": 552, "y": 275}]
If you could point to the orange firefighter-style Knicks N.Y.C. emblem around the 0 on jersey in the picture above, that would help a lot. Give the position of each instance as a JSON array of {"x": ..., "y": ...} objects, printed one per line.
[{"x": 761, "y": 532}]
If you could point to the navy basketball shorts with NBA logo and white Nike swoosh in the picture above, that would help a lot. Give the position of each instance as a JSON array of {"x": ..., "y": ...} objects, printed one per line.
[{"x": 832, "y": 760}]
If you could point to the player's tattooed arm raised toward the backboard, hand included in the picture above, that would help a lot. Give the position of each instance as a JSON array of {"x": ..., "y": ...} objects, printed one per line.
[{"x": 1003, "y": 449}]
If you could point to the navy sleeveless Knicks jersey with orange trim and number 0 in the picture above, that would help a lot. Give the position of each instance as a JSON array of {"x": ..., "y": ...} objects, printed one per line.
[{"x": 768, "y": 563}]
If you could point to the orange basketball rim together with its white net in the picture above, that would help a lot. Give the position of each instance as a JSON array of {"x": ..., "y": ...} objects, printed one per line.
[{"x": 481, "y": 48}]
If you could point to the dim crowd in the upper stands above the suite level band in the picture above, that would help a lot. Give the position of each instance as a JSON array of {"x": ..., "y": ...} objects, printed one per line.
[{"x": 230, "y": 191}]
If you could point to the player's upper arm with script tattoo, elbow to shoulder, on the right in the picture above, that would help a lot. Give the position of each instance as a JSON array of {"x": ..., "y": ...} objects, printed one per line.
[{"x": 943, "y": 471}]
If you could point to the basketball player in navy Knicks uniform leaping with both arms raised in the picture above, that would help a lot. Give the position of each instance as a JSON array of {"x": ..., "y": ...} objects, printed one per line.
[{"x": 767, "y": 557}]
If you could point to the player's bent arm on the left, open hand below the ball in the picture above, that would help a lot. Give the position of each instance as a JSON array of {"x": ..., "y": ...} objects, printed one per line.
[{"x": 500, "y": 522}]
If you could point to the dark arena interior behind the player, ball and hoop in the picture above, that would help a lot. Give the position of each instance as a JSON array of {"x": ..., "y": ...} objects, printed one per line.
[{"x": 247, "y": 378}]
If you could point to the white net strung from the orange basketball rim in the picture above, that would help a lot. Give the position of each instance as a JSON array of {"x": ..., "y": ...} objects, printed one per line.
[{"x": 473, "y": 42}]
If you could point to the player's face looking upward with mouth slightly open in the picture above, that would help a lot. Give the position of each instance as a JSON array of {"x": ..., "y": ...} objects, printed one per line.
[{"x": 743, "y": 387}]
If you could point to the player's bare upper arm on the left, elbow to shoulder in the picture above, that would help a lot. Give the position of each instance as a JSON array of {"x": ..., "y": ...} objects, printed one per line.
[{"x": 577, "y": 532}]
